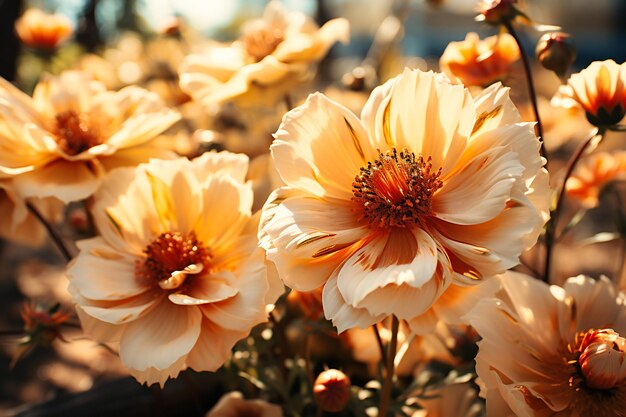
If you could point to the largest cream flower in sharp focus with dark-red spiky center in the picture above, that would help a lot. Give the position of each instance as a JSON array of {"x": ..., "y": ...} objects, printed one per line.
[{"x": 428, "y": 191}]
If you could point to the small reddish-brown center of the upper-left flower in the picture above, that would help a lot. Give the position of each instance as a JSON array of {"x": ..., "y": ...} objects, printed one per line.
[{"x": 75, "y": 132}]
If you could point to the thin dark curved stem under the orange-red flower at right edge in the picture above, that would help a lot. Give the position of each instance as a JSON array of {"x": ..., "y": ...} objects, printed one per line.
[{"x": 555, "y": 211}]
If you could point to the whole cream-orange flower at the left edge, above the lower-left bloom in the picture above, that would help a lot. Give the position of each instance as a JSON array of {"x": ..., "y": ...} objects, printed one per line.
[{"x": 62, "y": 141}]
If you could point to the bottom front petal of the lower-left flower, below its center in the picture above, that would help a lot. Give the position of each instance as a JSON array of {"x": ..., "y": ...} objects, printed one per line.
[{"x": 161, "y": 337}]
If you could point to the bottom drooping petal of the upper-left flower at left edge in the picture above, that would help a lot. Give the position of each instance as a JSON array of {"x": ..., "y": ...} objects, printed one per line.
[{"x": 67, "y": 181}]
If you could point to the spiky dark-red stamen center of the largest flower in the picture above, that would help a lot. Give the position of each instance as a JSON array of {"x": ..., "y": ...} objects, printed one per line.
[{"x": 396, "y": 189}]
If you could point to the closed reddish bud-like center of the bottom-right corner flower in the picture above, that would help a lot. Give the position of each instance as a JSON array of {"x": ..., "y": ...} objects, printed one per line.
[{"x": 603, "y": 359}]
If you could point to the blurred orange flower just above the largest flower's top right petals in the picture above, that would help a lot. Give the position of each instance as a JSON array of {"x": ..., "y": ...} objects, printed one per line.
[{"x": 479, "y": 62}]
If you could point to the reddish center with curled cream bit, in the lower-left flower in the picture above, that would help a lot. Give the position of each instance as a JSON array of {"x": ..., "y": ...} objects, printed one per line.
[{"x": 170, "y": 258}]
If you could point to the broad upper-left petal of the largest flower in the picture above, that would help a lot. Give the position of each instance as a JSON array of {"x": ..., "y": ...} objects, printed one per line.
[{"x": 320, "y": 148}]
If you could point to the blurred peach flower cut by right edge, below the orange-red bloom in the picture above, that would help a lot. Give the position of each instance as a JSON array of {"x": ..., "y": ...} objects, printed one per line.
[{"x": 593, "y": 173}]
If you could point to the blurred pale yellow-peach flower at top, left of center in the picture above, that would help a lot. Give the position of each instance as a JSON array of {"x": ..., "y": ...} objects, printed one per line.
[{"x": 272, "y": 57}]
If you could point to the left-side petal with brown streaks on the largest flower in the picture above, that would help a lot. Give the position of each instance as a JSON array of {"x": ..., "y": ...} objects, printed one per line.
[{"x": 309, "y": 238}]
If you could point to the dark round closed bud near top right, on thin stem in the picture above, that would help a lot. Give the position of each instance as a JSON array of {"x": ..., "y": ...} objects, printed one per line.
[{"x": 556, "y": 52}]
